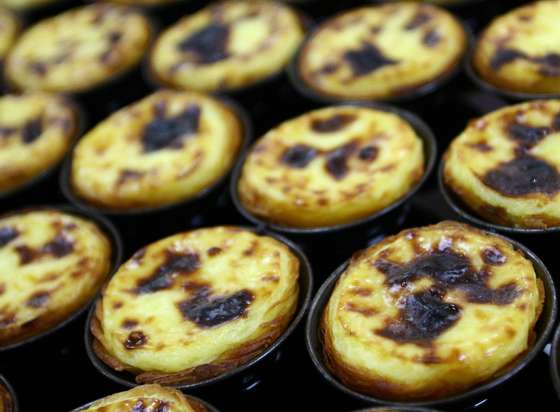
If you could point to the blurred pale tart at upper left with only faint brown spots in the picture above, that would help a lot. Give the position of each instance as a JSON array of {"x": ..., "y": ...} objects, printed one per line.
[{"x": 79, "y": 49}]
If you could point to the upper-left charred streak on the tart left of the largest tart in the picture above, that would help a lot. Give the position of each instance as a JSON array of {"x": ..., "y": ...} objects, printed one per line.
[{"x": 174, "y": 265}]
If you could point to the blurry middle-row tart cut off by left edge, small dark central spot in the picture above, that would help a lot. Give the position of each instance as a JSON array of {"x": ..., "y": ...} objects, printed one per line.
[{"x": 36, "y": 131}]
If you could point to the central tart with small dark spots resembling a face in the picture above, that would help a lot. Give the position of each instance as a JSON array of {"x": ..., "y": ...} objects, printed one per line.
[{"x": 331, "y": 166}]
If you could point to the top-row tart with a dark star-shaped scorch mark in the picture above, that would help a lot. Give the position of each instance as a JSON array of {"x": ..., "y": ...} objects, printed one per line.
[{"x": 381, "y": 52}]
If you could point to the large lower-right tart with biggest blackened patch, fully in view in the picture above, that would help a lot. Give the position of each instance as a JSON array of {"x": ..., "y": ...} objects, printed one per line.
[{"x": 431, "y": 312}]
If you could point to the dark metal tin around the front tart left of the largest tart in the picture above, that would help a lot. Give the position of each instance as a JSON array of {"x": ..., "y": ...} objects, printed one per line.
[{"x": 305, "y": 281}]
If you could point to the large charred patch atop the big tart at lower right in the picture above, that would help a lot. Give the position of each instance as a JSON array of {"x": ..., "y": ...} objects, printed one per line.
[{"x": 426, "y": 315}]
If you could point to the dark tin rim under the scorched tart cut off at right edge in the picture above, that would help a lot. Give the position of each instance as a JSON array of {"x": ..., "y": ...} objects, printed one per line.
[{"x": 464, "y": 212}]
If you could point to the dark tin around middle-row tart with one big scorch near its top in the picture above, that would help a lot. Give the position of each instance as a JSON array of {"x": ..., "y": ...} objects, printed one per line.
[{"x": 197, "y": 200}]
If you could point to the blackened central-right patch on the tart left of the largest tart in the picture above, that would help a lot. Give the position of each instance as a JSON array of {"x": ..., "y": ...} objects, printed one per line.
[{"x": 208, "y": 311}]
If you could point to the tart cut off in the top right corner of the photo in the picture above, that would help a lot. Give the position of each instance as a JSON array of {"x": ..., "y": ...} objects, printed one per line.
[{"x": 518, "y": 51}]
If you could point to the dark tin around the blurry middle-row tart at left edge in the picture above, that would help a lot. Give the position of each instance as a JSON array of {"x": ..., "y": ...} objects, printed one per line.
[{"x": 35, "y": 188}]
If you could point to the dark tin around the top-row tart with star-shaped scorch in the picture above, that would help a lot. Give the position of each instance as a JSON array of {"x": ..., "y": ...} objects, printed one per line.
[{"x": 407, "y": 97}]
